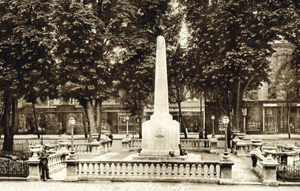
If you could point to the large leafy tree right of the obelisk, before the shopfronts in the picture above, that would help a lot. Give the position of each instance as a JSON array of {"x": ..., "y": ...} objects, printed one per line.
[{"x": 230, "y": 44}]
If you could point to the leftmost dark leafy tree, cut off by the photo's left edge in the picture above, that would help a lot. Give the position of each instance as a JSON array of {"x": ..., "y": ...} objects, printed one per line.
[{"x": 24, "y": 52}]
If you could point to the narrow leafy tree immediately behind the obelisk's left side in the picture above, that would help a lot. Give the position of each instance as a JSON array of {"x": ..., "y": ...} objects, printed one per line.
[{"x": 135, "y": 71}]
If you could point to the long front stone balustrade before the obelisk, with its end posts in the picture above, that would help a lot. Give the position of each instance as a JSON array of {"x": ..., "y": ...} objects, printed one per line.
[{"x": 185, "y": 171}]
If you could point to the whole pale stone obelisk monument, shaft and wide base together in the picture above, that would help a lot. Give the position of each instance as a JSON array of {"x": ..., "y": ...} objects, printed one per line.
[{"x": 160, "y": 134}]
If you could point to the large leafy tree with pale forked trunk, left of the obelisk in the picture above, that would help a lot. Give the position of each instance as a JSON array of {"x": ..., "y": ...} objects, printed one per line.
[{"x": 88, "y": 35}]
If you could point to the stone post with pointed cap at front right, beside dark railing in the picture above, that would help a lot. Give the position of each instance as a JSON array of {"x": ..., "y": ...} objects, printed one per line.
[{"x": 269, "y": 172}]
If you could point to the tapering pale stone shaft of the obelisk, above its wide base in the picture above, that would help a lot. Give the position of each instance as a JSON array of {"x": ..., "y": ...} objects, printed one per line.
[{"x": 161, "y": 102}]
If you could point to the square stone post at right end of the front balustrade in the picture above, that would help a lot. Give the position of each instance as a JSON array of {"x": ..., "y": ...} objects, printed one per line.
[{"x": 226, "y": 172}]
